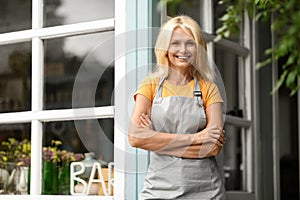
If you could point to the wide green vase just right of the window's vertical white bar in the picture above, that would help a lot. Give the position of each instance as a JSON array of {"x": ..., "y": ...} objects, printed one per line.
[{"x": 50, "y": 178}]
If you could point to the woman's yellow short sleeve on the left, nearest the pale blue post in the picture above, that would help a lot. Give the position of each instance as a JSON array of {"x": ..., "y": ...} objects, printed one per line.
[{"x": 147, "y": 88}]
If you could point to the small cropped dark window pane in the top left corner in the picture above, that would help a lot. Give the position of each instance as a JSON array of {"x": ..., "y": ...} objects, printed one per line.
[{"x": 15, "y": 15}]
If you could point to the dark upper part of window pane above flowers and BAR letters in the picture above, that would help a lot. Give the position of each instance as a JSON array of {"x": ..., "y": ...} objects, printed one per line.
[{"x": 83, "y": 136}]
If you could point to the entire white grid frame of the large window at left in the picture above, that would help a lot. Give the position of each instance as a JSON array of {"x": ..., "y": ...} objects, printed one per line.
[{"x": 37, "y": 116}]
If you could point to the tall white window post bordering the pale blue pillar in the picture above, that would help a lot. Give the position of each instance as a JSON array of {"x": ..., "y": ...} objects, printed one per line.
[{"x": 120, "y": 133}]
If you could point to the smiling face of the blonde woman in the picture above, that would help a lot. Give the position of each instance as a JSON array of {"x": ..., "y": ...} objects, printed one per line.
[{"x": 182, "y": 49}]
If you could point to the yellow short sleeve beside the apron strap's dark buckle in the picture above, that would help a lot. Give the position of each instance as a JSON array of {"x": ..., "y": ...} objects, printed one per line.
[{"x": 210, "y": 93}]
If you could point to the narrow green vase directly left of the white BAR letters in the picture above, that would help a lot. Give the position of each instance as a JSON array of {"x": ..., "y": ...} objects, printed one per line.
[{"x": 64, "y": 179}]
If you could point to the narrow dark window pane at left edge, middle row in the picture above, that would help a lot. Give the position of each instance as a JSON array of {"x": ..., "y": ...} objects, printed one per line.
[{"x": 15, "y": 77}]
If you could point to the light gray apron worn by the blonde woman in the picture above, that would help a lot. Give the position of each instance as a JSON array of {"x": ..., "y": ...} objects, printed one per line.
[{"x": 171, "y": 177}]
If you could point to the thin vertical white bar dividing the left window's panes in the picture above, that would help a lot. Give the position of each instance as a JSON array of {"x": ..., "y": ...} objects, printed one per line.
[{"x": 37, "y": 100}]
